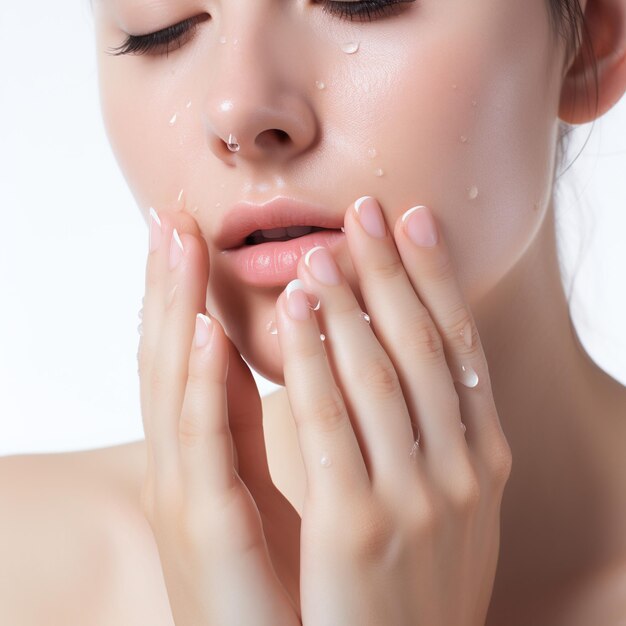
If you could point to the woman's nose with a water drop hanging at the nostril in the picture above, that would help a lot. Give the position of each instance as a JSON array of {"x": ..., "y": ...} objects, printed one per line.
[{"x": 258, "y": 97}]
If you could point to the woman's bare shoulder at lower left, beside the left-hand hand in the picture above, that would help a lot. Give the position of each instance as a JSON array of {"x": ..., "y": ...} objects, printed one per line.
[{"x": 74, "y": 543}]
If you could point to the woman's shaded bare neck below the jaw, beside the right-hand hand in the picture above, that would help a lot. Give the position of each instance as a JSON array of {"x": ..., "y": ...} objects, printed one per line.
[{"x": 560, "y": 414}]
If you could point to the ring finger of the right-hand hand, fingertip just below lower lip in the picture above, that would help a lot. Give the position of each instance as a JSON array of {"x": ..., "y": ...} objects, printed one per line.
[{"x": 365, "y": 373}]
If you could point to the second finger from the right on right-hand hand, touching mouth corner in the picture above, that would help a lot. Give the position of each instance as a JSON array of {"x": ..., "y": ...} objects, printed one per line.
[{"x": 408, "y": 334}]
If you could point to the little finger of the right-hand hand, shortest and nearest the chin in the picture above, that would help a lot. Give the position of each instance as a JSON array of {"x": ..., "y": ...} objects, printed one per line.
[{"x": 332, "y": 458}]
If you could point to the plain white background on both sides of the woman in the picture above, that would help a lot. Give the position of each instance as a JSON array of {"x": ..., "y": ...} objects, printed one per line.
[{"x": 73, "y": 251}]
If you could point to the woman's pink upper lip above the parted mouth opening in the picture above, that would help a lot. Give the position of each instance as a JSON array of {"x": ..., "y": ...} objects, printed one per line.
[{"x": 245, "y": 217}]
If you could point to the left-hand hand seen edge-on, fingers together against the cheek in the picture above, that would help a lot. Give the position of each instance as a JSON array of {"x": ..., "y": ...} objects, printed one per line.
[{"x": 196, "y": 402}]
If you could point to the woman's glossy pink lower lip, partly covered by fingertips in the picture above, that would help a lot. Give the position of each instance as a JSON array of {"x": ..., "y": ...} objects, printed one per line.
[{"x": 274, "y": 264}]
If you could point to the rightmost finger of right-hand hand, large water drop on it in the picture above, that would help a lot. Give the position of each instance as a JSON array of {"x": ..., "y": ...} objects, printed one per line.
[{"x": 431, "y": 272}]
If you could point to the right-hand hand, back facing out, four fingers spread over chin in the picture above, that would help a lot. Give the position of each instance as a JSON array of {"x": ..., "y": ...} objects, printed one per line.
[{"x": 392, "y": 533}]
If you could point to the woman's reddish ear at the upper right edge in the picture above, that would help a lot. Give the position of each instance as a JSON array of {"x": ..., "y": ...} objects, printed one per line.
[{"x": 606, "y": 26}]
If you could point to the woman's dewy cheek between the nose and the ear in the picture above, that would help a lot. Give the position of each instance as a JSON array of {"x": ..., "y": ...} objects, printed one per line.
[{"x": 468, "y": 126}]
